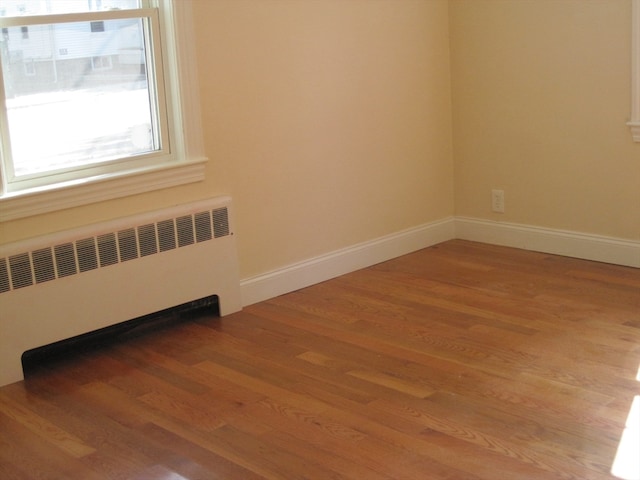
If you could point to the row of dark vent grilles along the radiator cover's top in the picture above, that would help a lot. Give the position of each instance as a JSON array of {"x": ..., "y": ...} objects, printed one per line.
[{"x": 85, "y": 254}]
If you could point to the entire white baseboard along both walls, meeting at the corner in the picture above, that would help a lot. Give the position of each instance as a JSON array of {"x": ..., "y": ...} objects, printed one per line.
[{"x": 324, "y": 267}]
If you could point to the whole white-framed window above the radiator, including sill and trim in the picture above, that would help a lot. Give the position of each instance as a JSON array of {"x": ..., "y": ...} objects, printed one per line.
[{"x": 92, "y": 106}]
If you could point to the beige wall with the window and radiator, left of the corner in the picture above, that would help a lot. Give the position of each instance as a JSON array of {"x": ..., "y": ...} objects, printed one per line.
[{"x": 328, "y": 121}]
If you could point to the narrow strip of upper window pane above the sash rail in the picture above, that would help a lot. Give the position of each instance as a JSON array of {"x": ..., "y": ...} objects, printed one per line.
[{"x": 14, "y": 8}]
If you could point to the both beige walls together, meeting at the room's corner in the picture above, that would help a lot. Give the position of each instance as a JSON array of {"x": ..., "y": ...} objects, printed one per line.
[{"x": 329, "y": 121}]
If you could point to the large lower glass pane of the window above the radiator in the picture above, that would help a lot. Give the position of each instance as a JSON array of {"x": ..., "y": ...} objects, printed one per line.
[{"x": 77, "y": 94}]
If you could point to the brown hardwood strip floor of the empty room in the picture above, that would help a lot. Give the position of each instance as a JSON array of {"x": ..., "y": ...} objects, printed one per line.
[{"x": 460, "y": 361}]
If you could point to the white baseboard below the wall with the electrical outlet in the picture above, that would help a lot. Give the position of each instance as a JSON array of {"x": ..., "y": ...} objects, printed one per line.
[{"x": 560, "y": 242}]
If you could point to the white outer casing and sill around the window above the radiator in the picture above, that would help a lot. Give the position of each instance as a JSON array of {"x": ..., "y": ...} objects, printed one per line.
[{"x": 180, "y": 73}]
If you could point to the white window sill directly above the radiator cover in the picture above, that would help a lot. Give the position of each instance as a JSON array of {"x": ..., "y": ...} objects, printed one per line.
[{"x": 82, "y": 192}]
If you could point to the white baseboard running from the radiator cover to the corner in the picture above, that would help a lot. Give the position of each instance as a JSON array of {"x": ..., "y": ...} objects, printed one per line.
[{"x": 340, "y": 262}]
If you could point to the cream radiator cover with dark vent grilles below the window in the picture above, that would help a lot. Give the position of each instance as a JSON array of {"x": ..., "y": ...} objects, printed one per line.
[{"x": 70, "y": 283}]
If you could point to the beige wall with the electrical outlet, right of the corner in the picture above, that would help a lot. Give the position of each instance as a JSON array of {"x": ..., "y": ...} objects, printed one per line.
[{"x": 541, "y": 94}]
